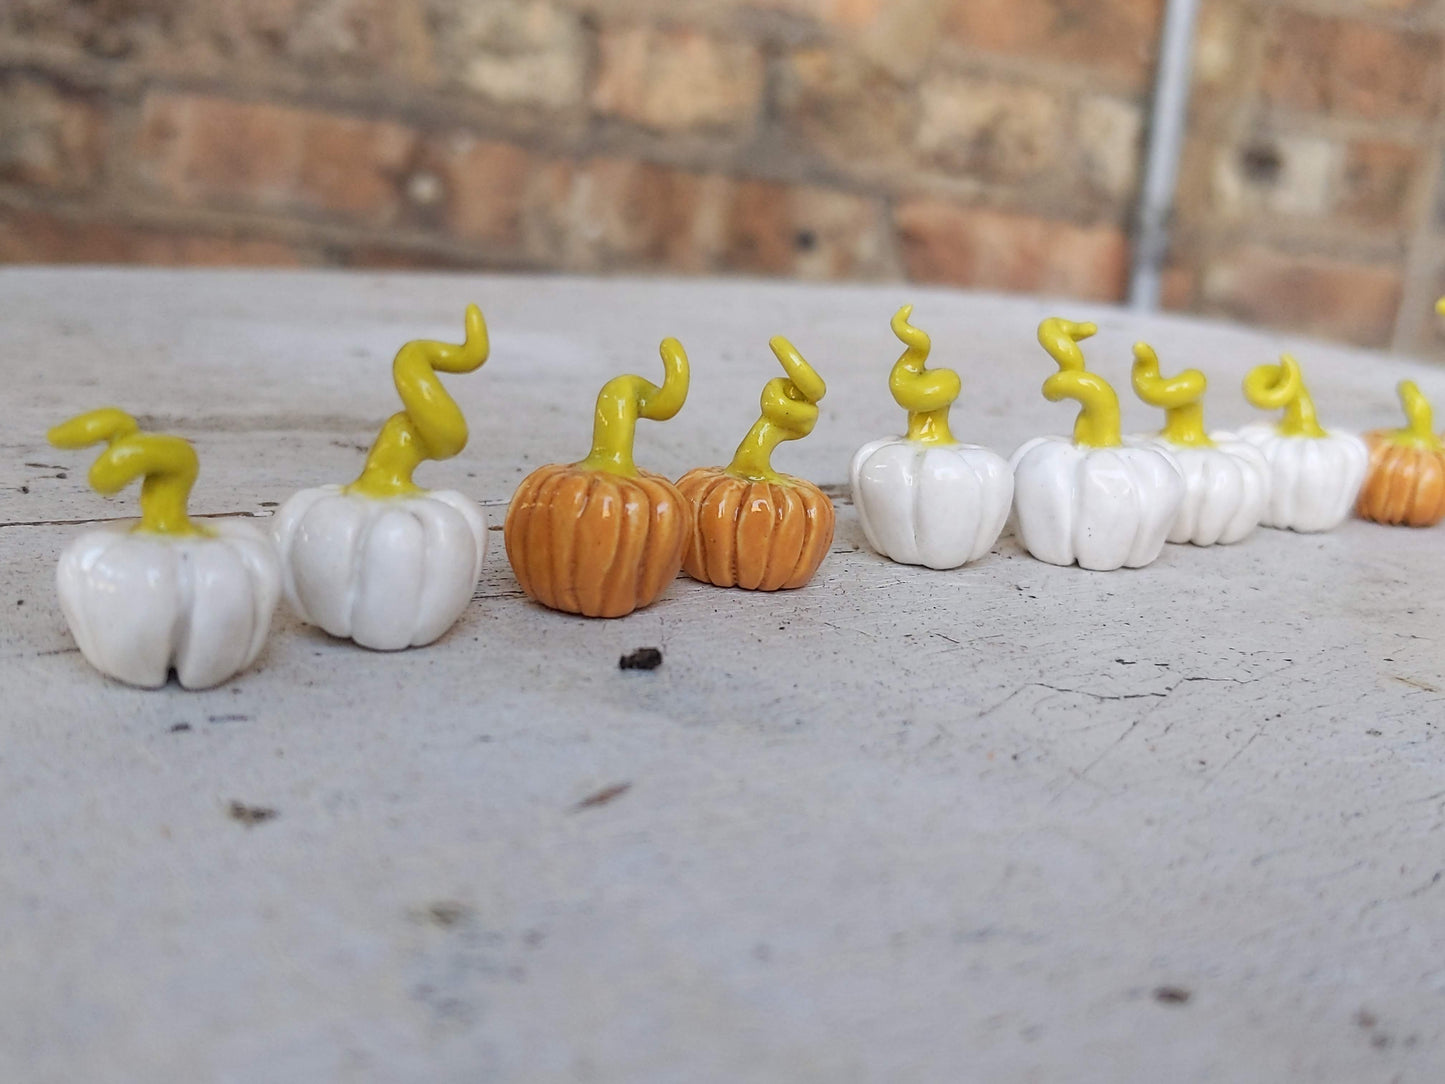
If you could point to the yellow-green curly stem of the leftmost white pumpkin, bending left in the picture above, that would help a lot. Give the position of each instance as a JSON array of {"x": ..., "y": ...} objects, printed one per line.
[{"x": 167, "y": 466}]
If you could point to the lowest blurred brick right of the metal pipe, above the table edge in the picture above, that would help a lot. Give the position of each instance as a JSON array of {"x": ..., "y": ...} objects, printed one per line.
[{"x": 1352, "y": 301}]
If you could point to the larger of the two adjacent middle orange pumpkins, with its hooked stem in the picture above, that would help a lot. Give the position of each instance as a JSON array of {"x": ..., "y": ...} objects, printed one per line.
[{"x": 600, "y": 537}]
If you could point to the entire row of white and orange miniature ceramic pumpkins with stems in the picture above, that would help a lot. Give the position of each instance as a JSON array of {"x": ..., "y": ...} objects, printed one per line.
[{"x": 391, "y": 566}]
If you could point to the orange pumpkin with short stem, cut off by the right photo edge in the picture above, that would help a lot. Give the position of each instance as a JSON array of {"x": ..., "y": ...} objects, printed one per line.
[{"x": 1407, "y": 481}]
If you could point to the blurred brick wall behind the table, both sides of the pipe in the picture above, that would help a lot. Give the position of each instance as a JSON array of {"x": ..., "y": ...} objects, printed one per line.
[{"x": 991, "y": 144}]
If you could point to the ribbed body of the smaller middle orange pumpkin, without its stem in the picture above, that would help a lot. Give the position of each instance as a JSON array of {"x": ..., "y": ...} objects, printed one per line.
[{"x": 758, "y": 535}]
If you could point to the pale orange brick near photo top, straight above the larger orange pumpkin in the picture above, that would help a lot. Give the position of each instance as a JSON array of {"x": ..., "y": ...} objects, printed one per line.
[{"x": 677, "y": 80}]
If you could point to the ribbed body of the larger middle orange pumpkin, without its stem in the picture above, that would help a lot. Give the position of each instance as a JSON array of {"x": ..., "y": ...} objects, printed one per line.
[{"x": 593, "y": 543}]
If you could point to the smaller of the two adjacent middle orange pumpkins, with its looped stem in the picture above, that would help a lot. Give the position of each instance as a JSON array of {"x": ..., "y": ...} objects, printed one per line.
[{"x": 752, "y": 527}]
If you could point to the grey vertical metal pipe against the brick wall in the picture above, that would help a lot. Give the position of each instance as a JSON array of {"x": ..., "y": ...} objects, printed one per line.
[{"x": 1167, "y": 126}]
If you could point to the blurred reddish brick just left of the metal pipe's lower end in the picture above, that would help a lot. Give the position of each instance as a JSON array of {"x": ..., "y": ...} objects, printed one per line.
[{"x": 1011, "y": 252}]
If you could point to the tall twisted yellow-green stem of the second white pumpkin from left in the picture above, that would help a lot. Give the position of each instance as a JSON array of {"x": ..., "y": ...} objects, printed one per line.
[{"x": 431, "y": 426}]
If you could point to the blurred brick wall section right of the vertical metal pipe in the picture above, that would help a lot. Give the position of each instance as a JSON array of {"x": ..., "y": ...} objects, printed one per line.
[{"x": 1311, "y": 180}]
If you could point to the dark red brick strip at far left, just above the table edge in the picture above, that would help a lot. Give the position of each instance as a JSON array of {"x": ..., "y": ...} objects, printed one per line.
[{"x": 37, "y": 238}]
